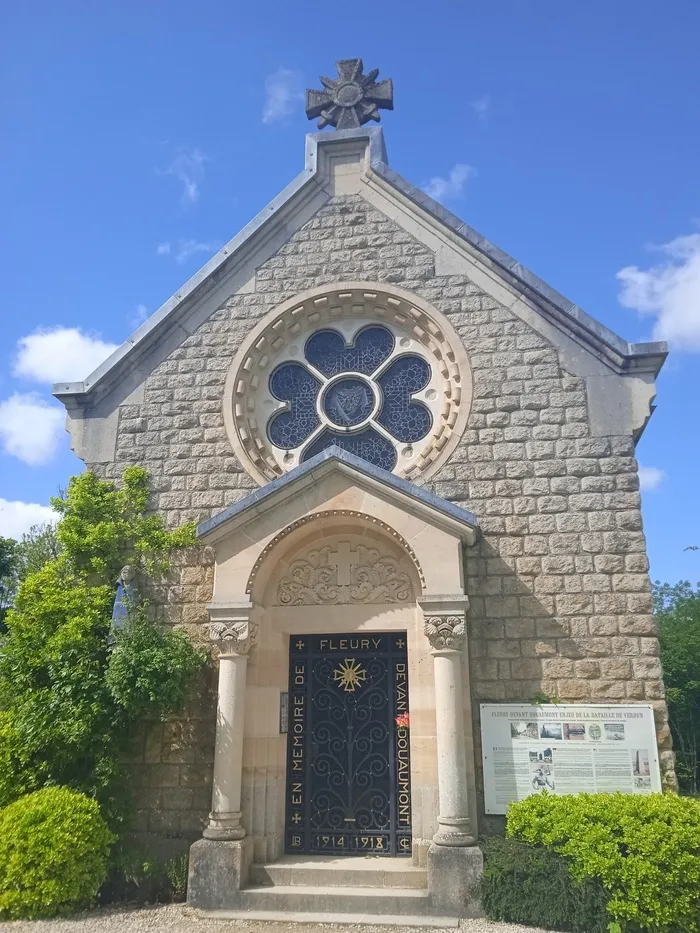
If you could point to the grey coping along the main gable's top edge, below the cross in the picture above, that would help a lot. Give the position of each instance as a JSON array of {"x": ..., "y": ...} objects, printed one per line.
[{"x": 69, "y": 392}]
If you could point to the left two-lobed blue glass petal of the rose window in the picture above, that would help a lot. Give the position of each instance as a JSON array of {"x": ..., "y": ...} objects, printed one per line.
[{"x": 294, "y": 384}]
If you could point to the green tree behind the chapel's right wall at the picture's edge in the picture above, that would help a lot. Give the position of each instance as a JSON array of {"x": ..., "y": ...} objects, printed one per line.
[{"x": 677, "y": 610}]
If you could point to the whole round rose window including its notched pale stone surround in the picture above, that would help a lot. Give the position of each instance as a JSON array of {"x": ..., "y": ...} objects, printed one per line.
[{"x": 378, "y": 373}]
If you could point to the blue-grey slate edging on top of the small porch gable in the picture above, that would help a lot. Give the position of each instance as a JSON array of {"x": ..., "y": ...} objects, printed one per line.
[{"x": 406, "y": 487}]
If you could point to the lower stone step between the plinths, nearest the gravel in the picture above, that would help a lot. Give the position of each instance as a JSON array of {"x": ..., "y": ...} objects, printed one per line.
[{"x": 336, "y": 900}]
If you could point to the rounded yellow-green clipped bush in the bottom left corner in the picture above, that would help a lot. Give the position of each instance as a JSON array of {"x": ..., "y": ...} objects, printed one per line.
[{"x": 54, "y": 847}]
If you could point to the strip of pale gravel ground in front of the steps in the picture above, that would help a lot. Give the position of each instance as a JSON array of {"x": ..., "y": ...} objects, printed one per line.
[{"x": 176, "y": 918}]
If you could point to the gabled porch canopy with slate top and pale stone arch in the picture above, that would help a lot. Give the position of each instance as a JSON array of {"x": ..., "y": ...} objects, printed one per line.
[{"x": 329, "y": 488}]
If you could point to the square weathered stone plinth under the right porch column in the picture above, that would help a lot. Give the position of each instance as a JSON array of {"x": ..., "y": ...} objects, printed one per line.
[{"x": 453, "y": 879}]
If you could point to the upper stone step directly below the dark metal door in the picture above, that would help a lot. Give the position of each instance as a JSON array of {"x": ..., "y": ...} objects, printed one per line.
[{"x": 330, "y": 871}]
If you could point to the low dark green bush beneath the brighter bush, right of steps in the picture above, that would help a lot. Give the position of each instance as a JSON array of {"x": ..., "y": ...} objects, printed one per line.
[{"x": 533, "y": 885}]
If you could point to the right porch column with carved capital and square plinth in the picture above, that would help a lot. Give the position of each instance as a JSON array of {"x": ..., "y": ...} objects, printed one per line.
[{"x": 454, "y": 861}]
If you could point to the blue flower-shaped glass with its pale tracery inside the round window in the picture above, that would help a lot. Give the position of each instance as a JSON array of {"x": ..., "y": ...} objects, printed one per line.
[{"x": 357, "y": 392}]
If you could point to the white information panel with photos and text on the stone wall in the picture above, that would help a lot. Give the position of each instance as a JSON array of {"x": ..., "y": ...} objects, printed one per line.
[{"x": 566, "y": 749}]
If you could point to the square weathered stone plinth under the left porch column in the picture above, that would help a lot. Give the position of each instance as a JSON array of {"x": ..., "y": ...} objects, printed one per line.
[{"x": 218, "y": 870}]
